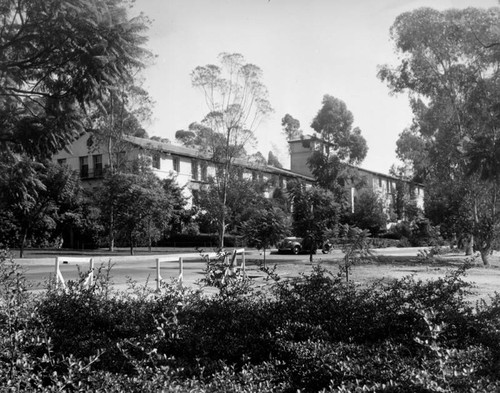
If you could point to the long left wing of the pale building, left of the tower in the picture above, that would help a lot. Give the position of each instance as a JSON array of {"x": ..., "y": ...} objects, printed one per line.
[{"x": 190, "y": 167}]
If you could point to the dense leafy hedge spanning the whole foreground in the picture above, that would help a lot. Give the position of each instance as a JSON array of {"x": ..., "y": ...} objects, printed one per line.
[{"x": 313, "y": 333}]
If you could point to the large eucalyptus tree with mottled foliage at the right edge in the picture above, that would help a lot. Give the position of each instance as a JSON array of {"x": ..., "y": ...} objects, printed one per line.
[{"x": 452, "y": 76}]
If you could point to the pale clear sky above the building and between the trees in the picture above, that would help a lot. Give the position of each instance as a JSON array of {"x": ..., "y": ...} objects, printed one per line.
[{"x": 305, "y": 48}]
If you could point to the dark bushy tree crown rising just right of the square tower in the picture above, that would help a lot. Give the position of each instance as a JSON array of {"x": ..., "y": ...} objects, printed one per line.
[{"x": 340, "y": 144}]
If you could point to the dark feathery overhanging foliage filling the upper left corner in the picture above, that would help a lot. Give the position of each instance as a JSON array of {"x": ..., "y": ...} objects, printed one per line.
[{"x": 57, "y": 59}]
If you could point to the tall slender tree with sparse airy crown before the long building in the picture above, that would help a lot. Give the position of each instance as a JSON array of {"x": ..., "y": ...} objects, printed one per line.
[{"x": 237, "y": 103}]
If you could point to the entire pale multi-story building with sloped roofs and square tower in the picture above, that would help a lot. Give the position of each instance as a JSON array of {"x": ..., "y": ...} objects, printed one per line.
[{"x": 192, "y": 168}]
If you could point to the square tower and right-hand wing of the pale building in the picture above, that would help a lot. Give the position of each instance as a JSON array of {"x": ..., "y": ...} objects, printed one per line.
[{"x": 382, "y": 184}]
